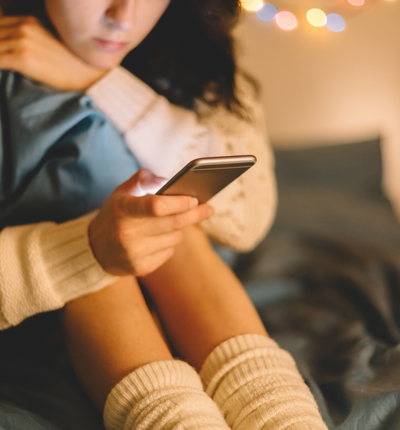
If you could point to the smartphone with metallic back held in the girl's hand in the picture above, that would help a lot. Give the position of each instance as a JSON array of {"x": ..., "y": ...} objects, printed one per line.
[{"x": 204, "y": 177}]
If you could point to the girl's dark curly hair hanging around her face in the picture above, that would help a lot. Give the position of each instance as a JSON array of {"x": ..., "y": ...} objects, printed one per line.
[{"x": 188, "y": 55}]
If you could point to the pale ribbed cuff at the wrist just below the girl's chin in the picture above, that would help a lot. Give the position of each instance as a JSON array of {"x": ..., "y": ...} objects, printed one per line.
[{"x": 122, "y": 97}]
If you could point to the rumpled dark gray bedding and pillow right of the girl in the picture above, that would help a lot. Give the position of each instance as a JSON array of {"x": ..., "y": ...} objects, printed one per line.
[{"x": 326, "y": 282}]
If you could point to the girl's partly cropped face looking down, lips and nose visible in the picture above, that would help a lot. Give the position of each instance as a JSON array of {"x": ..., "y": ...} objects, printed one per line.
[{"x": 102, "y": 32}]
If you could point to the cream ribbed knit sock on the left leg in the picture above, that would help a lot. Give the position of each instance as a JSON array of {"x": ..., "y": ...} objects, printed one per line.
[{"x": 162, "y": 395}]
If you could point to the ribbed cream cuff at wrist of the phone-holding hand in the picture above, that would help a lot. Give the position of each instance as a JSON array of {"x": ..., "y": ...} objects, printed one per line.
[{"x": 69, "y": 261}]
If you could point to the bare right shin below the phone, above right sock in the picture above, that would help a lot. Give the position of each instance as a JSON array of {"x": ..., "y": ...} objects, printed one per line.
[{"x": 200, "y": 301}]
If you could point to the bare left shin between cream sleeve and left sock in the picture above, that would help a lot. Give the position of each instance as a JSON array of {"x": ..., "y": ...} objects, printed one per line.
[{"x": 109, "y": 334}]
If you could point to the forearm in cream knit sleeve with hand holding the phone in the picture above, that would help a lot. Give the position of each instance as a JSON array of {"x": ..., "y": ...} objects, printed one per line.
[{"x": 45, "y": 265}]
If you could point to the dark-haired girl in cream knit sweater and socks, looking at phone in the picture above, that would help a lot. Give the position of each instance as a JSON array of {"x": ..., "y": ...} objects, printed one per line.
[{"x": 64, "y": 152}]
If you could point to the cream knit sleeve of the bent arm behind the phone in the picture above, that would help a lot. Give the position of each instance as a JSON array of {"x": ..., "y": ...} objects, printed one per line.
[{"x": 165, "y": 137}]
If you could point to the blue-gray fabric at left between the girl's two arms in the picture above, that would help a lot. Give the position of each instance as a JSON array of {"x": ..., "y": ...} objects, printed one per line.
[{"x": 60, "y": 157}]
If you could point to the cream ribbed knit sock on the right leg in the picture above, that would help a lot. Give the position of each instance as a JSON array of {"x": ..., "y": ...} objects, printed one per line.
[{"x": 257, "y": 386}]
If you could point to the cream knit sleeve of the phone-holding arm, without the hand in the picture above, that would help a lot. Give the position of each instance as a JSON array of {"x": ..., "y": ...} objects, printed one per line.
[{"x": 45, "y": 265}]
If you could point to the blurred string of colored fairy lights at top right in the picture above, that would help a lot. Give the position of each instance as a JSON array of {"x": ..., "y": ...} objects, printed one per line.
[{"x": 287, "y": 19}]
